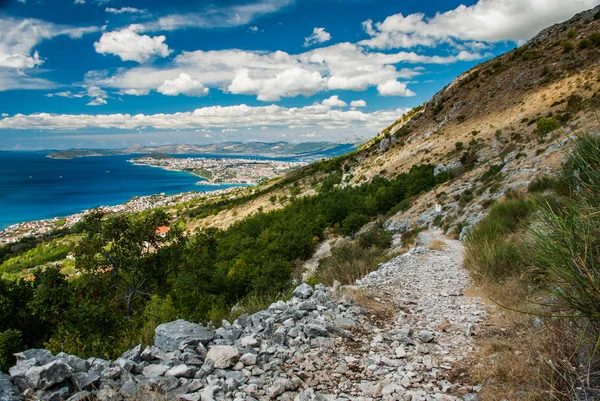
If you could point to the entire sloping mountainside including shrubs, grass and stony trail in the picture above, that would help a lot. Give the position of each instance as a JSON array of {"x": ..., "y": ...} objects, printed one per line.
[{"x": 423, "y": 248}]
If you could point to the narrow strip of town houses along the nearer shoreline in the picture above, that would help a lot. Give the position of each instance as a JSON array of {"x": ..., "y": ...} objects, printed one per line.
[{"x": 16, "y": 232}]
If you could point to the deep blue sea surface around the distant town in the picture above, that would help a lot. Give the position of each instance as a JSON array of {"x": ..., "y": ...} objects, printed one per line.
[{"x": 35, "y": 187}]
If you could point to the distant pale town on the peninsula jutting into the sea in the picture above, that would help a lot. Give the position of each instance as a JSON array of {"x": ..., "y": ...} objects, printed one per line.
[{"x": 221, "y": 170}]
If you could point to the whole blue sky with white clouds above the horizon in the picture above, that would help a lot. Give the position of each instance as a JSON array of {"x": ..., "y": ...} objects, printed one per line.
[{"x": 114, "y": 73}]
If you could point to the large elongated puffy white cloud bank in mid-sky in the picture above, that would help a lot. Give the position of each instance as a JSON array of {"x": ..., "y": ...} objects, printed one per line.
[{"x": 271, "y": 76}]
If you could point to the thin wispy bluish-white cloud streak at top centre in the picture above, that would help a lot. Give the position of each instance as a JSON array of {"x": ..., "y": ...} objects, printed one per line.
[{"x": 214, "y": 17}]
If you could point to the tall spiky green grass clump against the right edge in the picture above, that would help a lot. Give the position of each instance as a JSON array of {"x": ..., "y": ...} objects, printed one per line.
[{"x": 568, "y": 239}]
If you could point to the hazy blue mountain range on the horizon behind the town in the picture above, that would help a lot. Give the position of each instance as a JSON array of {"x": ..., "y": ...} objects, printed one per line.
[{"x": 274, "y": 149}]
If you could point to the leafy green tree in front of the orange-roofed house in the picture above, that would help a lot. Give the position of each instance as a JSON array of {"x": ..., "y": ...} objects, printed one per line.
[{"x": 132, "y": 252}]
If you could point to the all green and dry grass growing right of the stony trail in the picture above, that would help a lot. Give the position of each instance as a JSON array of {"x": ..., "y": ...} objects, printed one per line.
[{"x": 541, "y": 255}]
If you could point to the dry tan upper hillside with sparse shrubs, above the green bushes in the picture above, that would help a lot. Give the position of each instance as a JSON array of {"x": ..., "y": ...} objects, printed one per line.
[{"x": 485, "y": 120}]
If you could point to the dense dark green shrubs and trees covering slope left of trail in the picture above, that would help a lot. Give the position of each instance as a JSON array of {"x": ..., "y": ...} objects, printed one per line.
[{"x": 131, "y": 278}]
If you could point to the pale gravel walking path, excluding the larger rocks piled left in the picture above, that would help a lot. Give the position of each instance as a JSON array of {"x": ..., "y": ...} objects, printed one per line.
[{"x": 421, "y": 327}]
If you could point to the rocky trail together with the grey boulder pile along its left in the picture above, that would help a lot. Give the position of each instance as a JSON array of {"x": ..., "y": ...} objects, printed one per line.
[{"x": 396, "y": 335}]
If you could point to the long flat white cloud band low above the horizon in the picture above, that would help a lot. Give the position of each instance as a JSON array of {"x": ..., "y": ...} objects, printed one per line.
[{"x": 215, "y": 117}]
